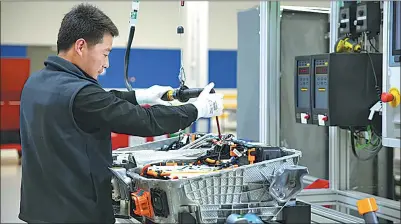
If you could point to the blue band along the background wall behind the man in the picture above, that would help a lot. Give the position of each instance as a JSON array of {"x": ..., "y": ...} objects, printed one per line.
[{"x": 154, "y": 67}]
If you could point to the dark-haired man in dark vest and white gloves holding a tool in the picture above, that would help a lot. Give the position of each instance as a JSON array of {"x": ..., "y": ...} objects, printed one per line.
[{"x": 67, "y": 118}]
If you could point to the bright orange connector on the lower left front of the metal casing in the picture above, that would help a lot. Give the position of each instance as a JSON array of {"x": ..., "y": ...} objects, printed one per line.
[{"x": 143, "y": 203}]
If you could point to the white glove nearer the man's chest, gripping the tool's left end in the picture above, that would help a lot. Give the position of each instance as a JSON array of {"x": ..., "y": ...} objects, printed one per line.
[{"x": 152, "y": 95}]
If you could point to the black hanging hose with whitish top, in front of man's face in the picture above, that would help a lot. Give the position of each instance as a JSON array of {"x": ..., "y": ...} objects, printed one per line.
[{"x": 133, "y": 20}]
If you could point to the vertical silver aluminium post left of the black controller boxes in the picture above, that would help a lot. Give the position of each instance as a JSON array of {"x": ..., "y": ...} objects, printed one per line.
[{"x": 269, "y": 96}]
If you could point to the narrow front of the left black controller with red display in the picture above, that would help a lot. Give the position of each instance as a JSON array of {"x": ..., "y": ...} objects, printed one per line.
[{"x": 303, "y": 89}]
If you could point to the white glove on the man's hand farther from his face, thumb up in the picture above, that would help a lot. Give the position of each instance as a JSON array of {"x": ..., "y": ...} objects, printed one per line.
[{"x": 209, "y": 104}]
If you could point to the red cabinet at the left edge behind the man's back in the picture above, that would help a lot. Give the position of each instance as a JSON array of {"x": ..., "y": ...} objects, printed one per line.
[{"x": 13, "y": 74}]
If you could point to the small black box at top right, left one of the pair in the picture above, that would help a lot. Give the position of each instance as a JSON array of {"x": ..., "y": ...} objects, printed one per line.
[{"x": 347, "y": 18}]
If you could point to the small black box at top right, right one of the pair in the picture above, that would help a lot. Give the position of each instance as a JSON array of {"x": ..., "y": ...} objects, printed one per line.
[{"x": 368, "y": 18}]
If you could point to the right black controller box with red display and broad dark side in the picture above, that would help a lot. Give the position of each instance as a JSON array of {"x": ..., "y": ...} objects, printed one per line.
[{"x": 345, "y": 86}]
